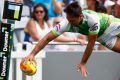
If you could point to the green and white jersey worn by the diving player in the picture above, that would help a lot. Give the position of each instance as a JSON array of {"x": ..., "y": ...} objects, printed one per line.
[{"x": 92, "y": 24}]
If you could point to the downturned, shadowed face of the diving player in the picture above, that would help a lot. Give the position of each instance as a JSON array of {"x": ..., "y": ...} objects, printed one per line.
[{"x": 74, "y": 20}]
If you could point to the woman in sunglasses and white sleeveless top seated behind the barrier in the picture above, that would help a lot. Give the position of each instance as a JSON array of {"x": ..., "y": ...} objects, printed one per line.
[{"x": 37, "y": 27}]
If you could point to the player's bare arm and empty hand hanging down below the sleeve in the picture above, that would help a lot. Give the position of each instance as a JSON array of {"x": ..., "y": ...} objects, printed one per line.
[{"x": 86, "y": 55}]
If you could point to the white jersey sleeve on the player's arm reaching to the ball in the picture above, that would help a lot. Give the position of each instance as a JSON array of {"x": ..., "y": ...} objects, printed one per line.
[{"x": 61, "y": 28}]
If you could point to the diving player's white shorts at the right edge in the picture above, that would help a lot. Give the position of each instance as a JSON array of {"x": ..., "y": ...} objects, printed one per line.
[{"x": 110, "y": 35}]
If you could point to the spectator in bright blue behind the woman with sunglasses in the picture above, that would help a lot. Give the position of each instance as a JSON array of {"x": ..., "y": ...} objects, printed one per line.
[{"x": 54, "y": 8}]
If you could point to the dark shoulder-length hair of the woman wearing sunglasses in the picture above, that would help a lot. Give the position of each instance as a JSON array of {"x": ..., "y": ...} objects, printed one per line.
[{"x": 46, "y": 17}]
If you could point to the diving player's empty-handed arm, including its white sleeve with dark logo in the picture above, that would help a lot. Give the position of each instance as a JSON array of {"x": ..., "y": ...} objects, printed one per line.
[{"x": 93, "y": 22}]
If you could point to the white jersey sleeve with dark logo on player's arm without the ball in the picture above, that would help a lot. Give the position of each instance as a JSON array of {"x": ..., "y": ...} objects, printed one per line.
[{"x": 93, "y": 22}]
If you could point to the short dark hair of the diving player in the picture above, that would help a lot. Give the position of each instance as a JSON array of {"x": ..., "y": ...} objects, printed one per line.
[{"x": 73, "y": 9}]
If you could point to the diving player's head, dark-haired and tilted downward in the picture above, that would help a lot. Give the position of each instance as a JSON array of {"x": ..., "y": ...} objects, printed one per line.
[{"x": 74, "y": 13}]
